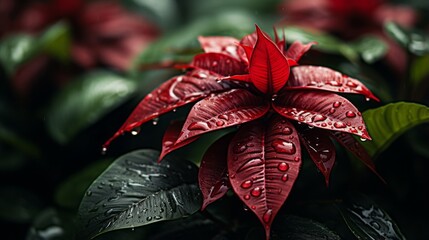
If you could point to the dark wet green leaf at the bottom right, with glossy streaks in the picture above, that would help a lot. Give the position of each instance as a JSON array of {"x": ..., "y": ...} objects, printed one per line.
[{"x": 368, "y": 221}]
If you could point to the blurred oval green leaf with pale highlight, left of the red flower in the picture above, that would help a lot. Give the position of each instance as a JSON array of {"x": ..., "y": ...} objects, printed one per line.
[{"x": 84, "y": 101}]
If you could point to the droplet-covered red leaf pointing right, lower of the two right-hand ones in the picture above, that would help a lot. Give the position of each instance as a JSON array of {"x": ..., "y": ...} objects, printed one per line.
[{"x": 321, "y": 109}]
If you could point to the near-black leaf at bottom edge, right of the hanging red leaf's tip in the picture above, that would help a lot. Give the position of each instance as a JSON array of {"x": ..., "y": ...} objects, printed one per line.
[{"x": 290, "y": 227}]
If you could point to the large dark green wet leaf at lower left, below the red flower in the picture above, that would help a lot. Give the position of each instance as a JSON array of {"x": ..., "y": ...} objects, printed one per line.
[{"x": 136, "y": 190}]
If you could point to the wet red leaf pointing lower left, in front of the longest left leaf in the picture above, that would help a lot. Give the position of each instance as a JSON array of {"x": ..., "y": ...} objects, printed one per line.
[{"x": 227, "y": 109}]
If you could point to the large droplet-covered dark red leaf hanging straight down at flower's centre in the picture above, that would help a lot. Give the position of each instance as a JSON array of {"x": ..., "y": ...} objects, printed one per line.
[{"x": 264, "y": 160}]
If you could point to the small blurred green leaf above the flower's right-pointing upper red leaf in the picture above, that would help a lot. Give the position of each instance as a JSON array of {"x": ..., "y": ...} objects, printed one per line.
[{"x": 371, "y": 48}]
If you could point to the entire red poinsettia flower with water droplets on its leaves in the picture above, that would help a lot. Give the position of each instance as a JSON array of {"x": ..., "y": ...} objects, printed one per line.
[{"x": 278, "y": 105}]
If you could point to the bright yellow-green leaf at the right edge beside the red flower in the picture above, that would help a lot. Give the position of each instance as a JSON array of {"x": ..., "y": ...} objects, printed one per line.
[{"x": 388, "y": 122}]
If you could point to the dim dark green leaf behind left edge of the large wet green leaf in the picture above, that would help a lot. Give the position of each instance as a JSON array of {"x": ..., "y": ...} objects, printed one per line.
[{"x": 70, "y": 192}]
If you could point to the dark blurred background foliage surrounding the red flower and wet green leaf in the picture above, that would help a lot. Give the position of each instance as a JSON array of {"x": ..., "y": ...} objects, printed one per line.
[{"x": 72, "y": 71}]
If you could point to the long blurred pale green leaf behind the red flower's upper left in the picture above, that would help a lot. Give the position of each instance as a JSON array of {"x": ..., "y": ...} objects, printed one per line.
[{"x": 182, "y": 45}]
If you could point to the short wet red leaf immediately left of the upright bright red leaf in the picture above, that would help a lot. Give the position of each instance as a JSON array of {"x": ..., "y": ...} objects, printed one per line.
[{"x": 219, "y": 63}]
